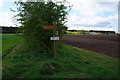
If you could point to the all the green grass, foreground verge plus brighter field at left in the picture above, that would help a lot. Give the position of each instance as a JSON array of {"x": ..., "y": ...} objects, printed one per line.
[{"x": 71, "y": 62}]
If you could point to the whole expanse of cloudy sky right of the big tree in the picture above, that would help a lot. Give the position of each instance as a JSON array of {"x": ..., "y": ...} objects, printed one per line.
[{"x": 93, "y": 15}]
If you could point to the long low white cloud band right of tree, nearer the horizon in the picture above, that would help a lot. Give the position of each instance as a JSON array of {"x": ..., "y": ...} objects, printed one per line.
[{"x": 92, "y": 21}]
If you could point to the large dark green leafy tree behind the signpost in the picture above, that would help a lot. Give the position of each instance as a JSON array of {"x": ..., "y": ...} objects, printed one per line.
[{"x": 35, "y": 15}]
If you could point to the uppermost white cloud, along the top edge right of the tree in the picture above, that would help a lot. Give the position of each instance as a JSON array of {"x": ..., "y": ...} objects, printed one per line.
[{"x": 92, "y": 7}]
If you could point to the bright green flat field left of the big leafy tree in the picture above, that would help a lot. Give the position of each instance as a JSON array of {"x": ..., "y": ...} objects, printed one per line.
[{"x": 8, "y": 42}]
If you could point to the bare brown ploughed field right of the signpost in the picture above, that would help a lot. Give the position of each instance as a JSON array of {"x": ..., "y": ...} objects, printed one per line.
[{"x": 99, "y": 43}]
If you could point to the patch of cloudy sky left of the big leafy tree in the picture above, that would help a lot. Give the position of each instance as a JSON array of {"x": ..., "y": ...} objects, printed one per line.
[{"x": 6, "y": 16}]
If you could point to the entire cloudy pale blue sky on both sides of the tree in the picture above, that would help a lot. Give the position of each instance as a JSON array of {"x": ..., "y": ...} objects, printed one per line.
[{"x": 84, "y": 15}]
